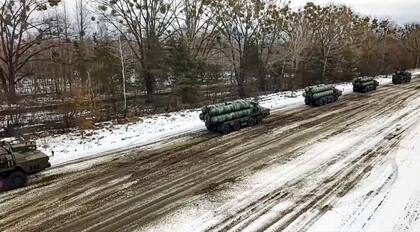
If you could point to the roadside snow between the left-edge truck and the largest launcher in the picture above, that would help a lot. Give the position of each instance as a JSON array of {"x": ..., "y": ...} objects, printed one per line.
[{"x": 113, "y": 138}]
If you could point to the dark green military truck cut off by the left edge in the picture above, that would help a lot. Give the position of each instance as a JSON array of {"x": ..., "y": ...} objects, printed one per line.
[{"x": 17, "y": 162}]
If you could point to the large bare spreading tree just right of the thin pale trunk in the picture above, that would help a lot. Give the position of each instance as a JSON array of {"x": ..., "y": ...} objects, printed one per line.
[{"x": 147, "y": 24}]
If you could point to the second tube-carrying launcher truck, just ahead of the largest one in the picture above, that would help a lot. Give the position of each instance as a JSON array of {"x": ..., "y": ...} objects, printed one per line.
[{"x": 321, "y": 95}]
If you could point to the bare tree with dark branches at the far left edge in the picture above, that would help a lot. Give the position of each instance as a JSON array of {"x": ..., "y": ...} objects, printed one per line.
[{"x": 22, "y": 33}]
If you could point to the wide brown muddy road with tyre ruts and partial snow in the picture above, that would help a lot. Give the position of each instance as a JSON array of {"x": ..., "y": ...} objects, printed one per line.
[{"x": 140, "y": 189}]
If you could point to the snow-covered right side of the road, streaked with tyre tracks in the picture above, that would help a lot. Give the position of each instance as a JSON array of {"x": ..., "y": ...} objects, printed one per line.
[{"x": 388, "y": 200}]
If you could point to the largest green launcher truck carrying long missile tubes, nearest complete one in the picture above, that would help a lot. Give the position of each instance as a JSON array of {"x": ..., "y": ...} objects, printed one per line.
[{"x": 232, "y": 116}]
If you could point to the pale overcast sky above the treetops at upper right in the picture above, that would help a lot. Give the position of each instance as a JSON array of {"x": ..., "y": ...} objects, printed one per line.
[{"x": 400, "y": 11}]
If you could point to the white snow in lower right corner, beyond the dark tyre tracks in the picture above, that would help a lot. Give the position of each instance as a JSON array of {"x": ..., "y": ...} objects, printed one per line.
[{"x": 387, "y": 200}]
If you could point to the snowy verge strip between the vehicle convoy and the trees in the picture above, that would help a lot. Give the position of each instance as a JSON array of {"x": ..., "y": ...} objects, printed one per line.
[{"x": 113, "y": 138}]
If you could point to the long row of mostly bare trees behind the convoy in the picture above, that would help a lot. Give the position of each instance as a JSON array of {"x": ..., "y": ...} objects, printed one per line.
[{"x": 86, "y": 53}]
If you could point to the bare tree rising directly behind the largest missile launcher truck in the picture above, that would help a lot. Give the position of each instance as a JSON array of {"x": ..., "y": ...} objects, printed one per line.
[{"x": 244, "y": 26}]
